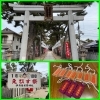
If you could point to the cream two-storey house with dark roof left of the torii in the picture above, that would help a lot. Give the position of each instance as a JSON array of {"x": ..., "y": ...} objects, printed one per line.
[{"x": 11, "y": 40}]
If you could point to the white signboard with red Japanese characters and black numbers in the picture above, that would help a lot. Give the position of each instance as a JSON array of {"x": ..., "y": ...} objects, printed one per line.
[{"x": 24, "y": 80}]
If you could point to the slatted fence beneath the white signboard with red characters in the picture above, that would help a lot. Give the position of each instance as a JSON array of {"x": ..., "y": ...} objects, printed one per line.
[{"x": 12, "y": 93}]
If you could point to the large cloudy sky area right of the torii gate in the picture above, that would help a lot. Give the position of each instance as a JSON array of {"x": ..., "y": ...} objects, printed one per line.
[{"x": 90, "y": 24}]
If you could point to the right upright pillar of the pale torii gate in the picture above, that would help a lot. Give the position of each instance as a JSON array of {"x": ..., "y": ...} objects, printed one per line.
[{"x": 72, "y": 37}]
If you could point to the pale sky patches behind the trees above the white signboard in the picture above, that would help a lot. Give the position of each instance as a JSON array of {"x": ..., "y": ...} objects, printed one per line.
[{"x": 40, "y": 66}]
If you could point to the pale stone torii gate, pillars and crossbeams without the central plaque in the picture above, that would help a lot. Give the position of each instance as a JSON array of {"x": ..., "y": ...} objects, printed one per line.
[{"x": 57, "y": 8}]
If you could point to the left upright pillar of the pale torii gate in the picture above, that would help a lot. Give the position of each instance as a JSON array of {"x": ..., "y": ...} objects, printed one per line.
[{"x": 25, "y": 37}]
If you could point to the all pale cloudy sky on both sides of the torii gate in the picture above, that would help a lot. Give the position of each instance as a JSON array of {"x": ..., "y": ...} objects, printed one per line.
[{"x": 88, "y": 26}]
